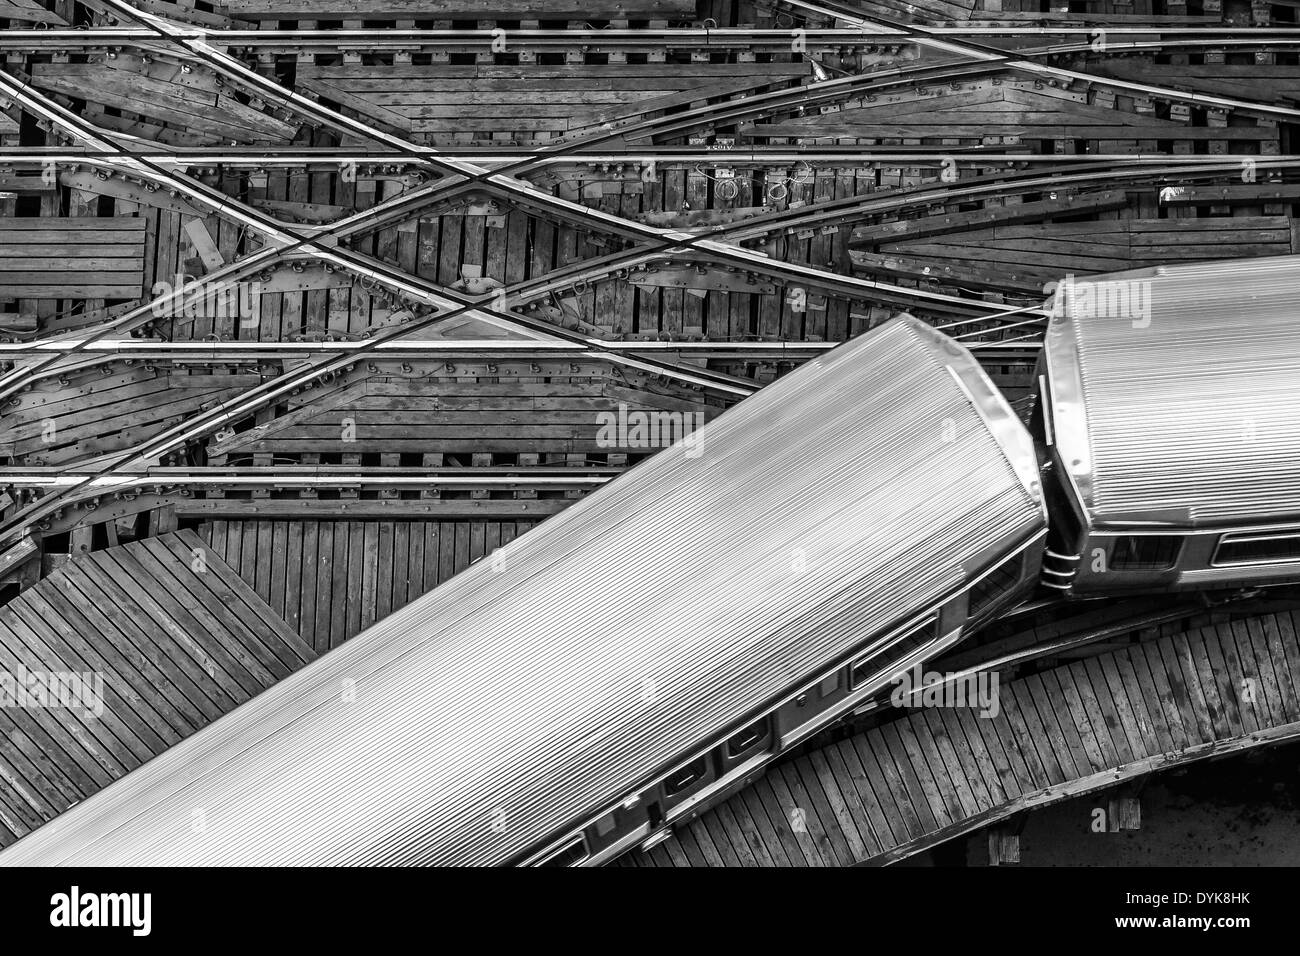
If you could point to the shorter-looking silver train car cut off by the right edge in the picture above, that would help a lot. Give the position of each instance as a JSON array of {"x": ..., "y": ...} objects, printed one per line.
[{"x": 1168, "y": 410}]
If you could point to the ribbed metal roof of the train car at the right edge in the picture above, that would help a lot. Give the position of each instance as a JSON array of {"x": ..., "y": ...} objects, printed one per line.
[{"x": 1185, "y": 416}]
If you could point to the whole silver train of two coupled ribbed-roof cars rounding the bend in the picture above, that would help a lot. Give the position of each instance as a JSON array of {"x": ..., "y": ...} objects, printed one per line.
[{"x": 656, "y": 646}]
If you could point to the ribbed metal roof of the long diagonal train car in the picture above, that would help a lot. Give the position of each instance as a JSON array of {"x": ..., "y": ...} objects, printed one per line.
[{"x": 532, "y": 691}]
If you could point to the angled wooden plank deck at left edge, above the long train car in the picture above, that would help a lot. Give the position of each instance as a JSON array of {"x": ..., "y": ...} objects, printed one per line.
[{"x": 175, "y": 641}]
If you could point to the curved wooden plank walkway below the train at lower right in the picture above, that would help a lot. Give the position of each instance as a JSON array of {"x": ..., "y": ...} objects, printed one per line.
[{"x": 934, "y": 775}]
